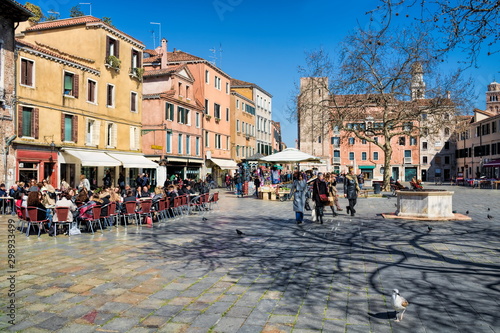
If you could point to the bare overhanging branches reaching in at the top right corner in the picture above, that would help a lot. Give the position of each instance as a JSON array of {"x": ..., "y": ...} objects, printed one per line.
[{"x": 465, "y": 24}]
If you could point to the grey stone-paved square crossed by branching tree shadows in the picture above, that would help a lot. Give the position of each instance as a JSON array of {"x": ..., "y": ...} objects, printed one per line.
[{"x": 194, "y": 275}]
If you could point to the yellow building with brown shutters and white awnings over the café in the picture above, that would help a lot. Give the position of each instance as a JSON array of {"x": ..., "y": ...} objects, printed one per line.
[{"x": 79, "y": 102}]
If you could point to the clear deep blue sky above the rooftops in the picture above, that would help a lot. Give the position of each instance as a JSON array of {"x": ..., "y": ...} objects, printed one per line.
[{"x": 262, "y": 41}]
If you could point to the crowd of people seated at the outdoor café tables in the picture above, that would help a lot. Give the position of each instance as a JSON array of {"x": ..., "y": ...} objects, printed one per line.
[{"x": 81, "y": 199}]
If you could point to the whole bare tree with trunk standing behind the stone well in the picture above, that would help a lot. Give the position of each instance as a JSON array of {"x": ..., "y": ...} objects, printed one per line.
[{"x": 377, "y": 92}]
